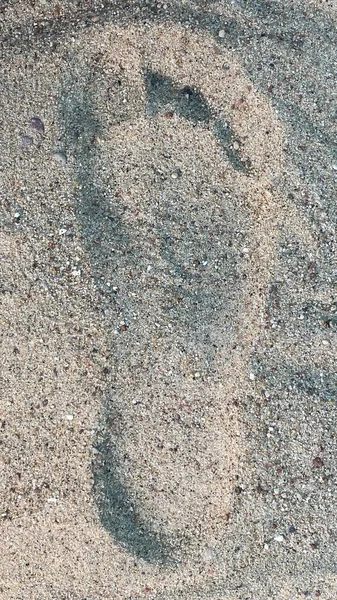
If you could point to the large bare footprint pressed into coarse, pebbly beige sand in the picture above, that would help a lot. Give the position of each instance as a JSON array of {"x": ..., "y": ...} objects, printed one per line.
[{"x": 174, "y": 158}]
